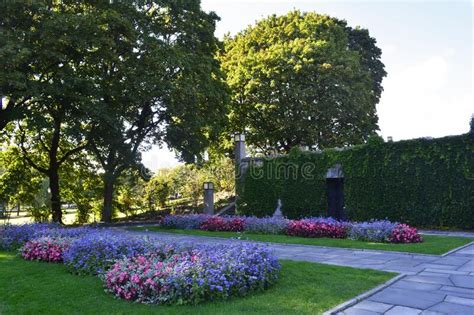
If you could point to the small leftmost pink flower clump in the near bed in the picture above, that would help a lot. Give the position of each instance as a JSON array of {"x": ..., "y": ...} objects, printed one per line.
[{"x": 45, "y": 248}]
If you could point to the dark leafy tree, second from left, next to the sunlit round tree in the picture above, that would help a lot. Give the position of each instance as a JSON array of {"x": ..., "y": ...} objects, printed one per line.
[{"x": 157, "y": 82}]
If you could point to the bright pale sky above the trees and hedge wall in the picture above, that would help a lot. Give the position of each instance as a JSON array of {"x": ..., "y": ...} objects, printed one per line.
[{"x": 427, "y": 48}]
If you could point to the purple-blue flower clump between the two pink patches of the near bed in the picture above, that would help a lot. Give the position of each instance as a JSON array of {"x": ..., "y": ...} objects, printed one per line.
[{"x": 96, "y": 252}]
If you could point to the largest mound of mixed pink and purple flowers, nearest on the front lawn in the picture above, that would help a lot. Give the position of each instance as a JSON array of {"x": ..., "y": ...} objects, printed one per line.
[{"x": 193, "y": 276}]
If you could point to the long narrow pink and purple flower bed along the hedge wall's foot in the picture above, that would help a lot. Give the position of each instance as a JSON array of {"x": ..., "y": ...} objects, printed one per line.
[{"x": 372, "y": 231}]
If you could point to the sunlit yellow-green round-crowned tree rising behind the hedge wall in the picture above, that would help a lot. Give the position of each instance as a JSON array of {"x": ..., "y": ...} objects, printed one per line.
[{"x": 303, "y": 79}]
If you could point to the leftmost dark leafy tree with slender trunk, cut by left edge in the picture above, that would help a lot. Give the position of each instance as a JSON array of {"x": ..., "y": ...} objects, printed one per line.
[{"x": 46, "y": 46}]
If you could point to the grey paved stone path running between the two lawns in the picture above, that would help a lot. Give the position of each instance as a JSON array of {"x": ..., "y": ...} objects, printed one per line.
[{"x": 431, "y": 285}]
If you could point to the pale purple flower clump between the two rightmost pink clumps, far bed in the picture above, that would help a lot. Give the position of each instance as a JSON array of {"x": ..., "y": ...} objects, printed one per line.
[{"x": 372, "y": 231}]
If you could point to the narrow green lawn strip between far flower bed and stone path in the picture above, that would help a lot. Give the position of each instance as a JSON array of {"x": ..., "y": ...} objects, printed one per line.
[{"x": 433, "y": 244}]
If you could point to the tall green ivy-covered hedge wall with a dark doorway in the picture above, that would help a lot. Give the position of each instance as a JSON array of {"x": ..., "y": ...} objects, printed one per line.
[{"x": 423, "y": 182}]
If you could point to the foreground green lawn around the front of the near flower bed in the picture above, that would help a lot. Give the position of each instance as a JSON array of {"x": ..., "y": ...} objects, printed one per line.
[{"x": 304, "y": 288}]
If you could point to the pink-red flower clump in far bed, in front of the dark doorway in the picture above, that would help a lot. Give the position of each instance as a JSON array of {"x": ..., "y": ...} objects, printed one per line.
[{"x": 317, "y": 227}]
